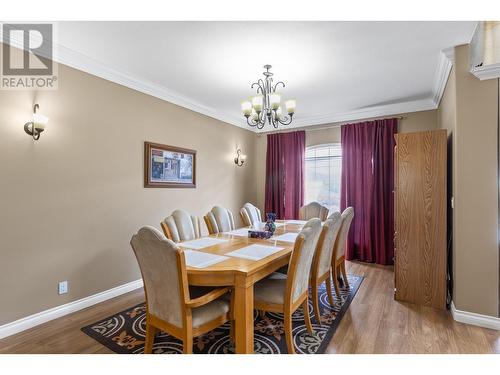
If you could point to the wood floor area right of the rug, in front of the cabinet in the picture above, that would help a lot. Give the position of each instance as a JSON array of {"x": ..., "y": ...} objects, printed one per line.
[{"x": 376, "y": 323}]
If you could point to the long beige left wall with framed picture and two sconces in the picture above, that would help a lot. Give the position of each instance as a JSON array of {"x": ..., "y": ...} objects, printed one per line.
[{"x": 72, "y": 200}]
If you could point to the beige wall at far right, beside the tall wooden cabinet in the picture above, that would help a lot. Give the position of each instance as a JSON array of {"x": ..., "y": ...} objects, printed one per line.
[{"x": 468, "y": 111}]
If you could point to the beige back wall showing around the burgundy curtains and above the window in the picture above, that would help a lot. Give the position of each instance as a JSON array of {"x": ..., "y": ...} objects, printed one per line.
[{"x": 330, "y": 133}]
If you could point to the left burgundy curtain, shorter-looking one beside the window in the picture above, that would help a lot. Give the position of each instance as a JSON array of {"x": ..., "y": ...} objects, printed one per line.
[{"x": 285, "y": 174}]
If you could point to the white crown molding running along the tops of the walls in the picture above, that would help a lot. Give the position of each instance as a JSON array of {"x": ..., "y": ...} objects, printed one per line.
[{"x": 80, "y": 61}]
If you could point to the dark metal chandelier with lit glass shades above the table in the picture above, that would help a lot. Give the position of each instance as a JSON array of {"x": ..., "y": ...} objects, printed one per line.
[{"x": 266, "y": 105}]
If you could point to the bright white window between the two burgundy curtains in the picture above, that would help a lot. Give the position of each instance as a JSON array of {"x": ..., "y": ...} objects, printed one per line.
[{"x": 323, "y": 168}]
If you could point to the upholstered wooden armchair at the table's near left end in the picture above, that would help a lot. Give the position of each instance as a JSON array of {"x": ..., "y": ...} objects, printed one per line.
[{"x": 170, "y": 307}]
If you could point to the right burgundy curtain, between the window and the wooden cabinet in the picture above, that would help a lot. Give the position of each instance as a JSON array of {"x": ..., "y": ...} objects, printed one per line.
[{"x": 367, "y": 186}]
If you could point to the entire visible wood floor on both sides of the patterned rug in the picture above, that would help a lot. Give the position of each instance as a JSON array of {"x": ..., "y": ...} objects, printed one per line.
[{"x": 374, "y": 323}]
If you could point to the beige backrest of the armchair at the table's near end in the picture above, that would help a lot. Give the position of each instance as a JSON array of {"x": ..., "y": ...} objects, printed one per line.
[{"x": 164, "y": 274}]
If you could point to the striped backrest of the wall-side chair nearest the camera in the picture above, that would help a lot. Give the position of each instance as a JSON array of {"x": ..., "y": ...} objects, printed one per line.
[{"x": 181, "y": 226}]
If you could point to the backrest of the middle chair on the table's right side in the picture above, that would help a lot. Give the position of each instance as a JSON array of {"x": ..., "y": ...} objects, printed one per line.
[{"x": 325, "y": 247}]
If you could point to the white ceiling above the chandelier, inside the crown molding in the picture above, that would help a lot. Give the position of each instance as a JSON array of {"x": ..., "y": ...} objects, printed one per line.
[{"x": 335, "y": 70}]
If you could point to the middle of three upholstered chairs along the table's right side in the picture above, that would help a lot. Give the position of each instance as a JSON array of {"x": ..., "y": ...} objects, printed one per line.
[{"x": 320, "y": 271}]
